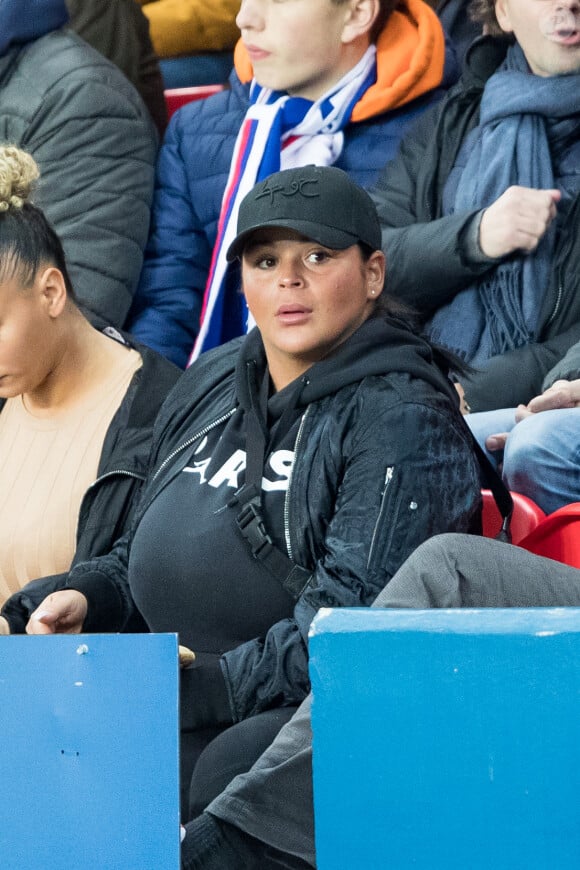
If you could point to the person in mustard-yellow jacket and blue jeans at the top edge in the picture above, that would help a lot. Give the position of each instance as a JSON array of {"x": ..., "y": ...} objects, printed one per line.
[{"x": 193, "y": 38}]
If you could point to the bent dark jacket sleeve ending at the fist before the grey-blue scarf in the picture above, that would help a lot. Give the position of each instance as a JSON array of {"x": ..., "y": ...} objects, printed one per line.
[{"x": 426, "y": 266}]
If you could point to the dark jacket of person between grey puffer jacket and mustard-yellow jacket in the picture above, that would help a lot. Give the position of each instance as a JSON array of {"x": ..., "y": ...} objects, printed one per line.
[{"x": 119, "y": 30}]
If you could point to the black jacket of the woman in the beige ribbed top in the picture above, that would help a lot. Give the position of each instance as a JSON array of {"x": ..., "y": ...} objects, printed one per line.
[{"x": 107, "y": 505}]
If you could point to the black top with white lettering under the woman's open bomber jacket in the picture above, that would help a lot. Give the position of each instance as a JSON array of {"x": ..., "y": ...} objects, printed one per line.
[{"x": 190, "y": 569}]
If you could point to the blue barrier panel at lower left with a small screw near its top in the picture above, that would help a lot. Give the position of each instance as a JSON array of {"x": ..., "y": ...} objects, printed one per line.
[{"x": 89, "y": 760}]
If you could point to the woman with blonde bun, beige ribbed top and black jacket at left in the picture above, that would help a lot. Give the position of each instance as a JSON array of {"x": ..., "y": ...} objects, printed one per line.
[{"x": 77, "y": 405}]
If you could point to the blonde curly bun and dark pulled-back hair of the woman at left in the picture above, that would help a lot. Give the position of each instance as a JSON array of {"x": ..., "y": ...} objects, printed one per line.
[{"x": 27, "y": 240}]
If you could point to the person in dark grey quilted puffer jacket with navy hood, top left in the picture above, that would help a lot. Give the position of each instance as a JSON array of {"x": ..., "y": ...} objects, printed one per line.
[{"x": 95, "y": 144}]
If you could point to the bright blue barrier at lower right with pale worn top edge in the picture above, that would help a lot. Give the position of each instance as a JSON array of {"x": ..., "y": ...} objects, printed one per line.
[{"x": 446, "y": 739}]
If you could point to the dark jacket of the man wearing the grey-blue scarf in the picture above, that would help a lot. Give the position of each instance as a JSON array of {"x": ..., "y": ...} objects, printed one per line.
[{"x": 424, "y": 255}]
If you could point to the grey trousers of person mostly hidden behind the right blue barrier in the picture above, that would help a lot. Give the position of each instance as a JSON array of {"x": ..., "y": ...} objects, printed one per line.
[{"x": 273, "y": 801}]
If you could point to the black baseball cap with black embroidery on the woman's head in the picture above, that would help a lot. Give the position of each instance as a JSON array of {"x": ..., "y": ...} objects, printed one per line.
[{"x": 320, "y": 202}]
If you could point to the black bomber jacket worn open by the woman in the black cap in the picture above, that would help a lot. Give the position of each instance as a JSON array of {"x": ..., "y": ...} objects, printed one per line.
[{"x": 383, "y": 460}]
